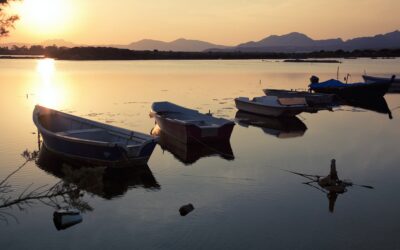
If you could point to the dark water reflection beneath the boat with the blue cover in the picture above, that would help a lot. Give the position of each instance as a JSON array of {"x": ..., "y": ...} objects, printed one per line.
[{"x": 377, "y": 104}]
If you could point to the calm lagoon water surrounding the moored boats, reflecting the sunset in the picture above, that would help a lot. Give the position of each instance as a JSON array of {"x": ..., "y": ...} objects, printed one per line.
[{"x": 245, "y": 201}]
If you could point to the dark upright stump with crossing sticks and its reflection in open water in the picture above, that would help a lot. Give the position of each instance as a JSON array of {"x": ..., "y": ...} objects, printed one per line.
[{"x": 331, "y": 185}]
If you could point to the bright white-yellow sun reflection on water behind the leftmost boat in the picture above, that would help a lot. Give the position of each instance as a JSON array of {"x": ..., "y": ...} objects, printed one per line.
[{"x": 49, "y": 90}]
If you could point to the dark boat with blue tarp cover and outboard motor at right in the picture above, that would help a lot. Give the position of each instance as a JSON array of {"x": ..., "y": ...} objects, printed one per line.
[{"x": 349, "y": 90}]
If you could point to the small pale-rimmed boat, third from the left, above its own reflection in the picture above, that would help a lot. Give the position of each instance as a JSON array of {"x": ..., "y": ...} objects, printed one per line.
[{"x": 272, "y": 105}]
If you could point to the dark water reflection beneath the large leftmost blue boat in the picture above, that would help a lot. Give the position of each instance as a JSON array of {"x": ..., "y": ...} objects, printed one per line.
[{"x": 106, "y": 182}]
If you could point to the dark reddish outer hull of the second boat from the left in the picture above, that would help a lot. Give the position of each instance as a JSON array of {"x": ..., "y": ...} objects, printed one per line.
[{"x": 190, "y": 133}]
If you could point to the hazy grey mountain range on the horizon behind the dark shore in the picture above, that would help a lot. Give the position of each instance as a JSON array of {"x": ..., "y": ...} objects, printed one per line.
[{"x": 292, "y": 42}]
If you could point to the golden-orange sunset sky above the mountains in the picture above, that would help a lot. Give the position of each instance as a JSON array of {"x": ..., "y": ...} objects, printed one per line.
[{"x": 230, "y": 22}]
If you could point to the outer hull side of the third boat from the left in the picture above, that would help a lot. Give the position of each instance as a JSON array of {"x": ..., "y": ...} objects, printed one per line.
[{"x": 267, "y": 110}]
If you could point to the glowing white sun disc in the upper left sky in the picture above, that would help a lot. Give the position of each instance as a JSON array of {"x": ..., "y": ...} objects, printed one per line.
[{"x": 45, "y": 16}]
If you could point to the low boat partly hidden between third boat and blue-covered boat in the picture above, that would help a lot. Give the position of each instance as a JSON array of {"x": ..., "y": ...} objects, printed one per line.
[{"x": 312, "y": 99}]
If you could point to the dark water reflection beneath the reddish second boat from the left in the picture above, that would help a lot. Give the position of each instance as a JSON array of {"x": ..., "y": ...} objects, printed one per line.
[{"x": 189, "y": 153}]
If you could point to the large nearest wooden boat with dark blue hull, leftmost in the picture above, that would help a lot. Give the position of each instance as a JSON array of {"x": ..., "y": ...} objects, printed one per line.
[{"x": 87, "y": 140}]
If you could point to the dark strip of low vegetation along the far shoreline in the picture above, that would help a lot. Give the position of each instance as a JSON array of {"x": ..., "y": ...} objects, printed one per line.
[{"x": 107, "y": 53}]
